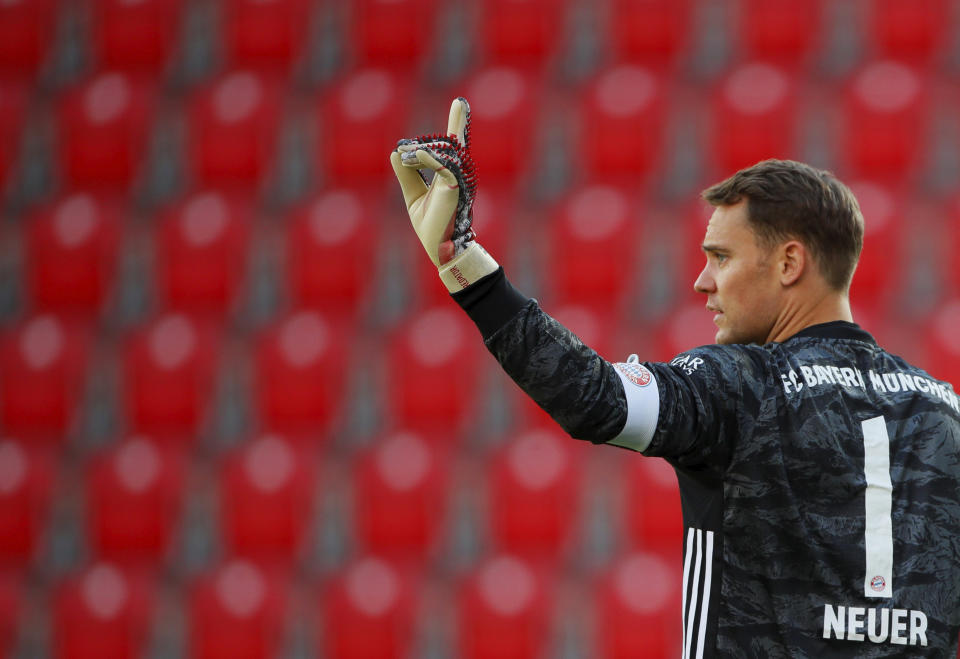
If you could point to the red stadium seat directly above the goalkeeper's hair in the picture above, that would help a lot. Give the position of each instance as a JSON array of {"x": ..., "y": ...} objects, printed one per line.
[{"x": 754, "y": 117}]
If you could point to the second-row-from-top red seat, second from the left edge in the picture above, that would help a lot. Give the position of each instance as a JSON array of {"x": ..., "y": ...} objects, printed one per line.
[{"x": 103, "y": 132}]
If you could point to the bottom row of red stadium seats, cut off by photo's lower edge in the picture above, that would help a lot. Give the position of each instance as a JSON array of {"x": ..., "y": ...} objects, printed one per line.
[{"x": 505, "y": 606}]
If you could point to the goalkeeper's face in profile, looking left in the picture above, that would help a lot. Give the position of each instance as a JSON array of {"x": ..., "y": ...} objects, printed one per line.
[{"x": 740, "y": 279}]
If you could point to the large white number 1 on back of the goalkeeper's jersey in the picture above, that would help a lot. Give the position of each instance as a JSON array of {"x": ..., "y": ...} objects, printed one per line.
[{"x": 878, "y": 535}]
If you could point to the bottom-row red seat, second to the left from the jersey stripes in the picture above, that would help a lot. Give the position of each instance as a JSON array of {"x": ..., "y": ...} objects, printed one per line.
[{"x": 503, "y": 611}]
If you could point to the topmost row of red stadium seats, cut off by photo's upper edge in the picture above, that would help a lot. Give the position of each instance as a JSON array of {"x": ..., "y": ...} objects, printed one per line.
[{"x": 144, "y": 36}]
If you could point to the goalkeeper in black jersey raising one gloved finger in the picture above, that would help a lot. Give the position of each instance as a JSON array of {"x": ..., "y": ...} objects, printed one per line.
[{"x": 819, "y": 474}]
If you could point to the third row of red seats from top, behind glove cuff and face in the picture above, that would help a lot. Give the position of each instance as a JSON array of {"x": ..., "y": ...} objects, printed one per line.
[{"x": 199, "y": 250}]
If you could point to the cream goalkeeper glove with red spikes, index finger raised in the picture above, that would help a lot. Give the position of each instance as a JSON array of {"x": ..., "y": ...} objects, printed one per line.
[{"x": 442, "y": 214}]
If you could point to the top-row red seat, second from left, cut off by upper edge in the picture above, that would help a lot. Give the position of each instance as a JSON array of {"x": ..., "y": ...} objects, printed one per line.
[{"x": 137, "y": 37}]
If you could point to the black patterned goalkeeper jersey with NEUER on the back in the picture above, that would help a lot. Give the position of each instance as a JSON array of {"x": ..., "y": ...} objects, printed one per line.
[{"x": 819, "y": 478}]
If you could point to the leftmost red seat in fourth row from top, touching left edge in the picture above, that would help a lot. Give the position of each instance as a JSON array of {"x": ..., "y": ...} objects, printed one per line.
[{"x": 43, "y": 376}]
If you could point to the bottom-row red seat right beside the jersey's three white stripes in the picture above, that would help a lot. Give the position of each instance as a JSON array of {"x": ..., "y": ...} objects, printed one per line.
[{"x": 637, "y": 605}]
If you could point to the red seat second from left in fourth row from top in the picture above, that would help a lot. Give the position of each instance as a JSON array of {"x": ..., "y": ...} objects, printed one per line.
[{"x": 168, "y": 375}]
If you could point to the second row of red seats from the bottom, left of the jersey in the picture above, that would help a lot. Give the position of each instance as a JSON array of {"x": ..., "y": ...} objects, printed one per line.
[{"x": 401, "y": 495}]
